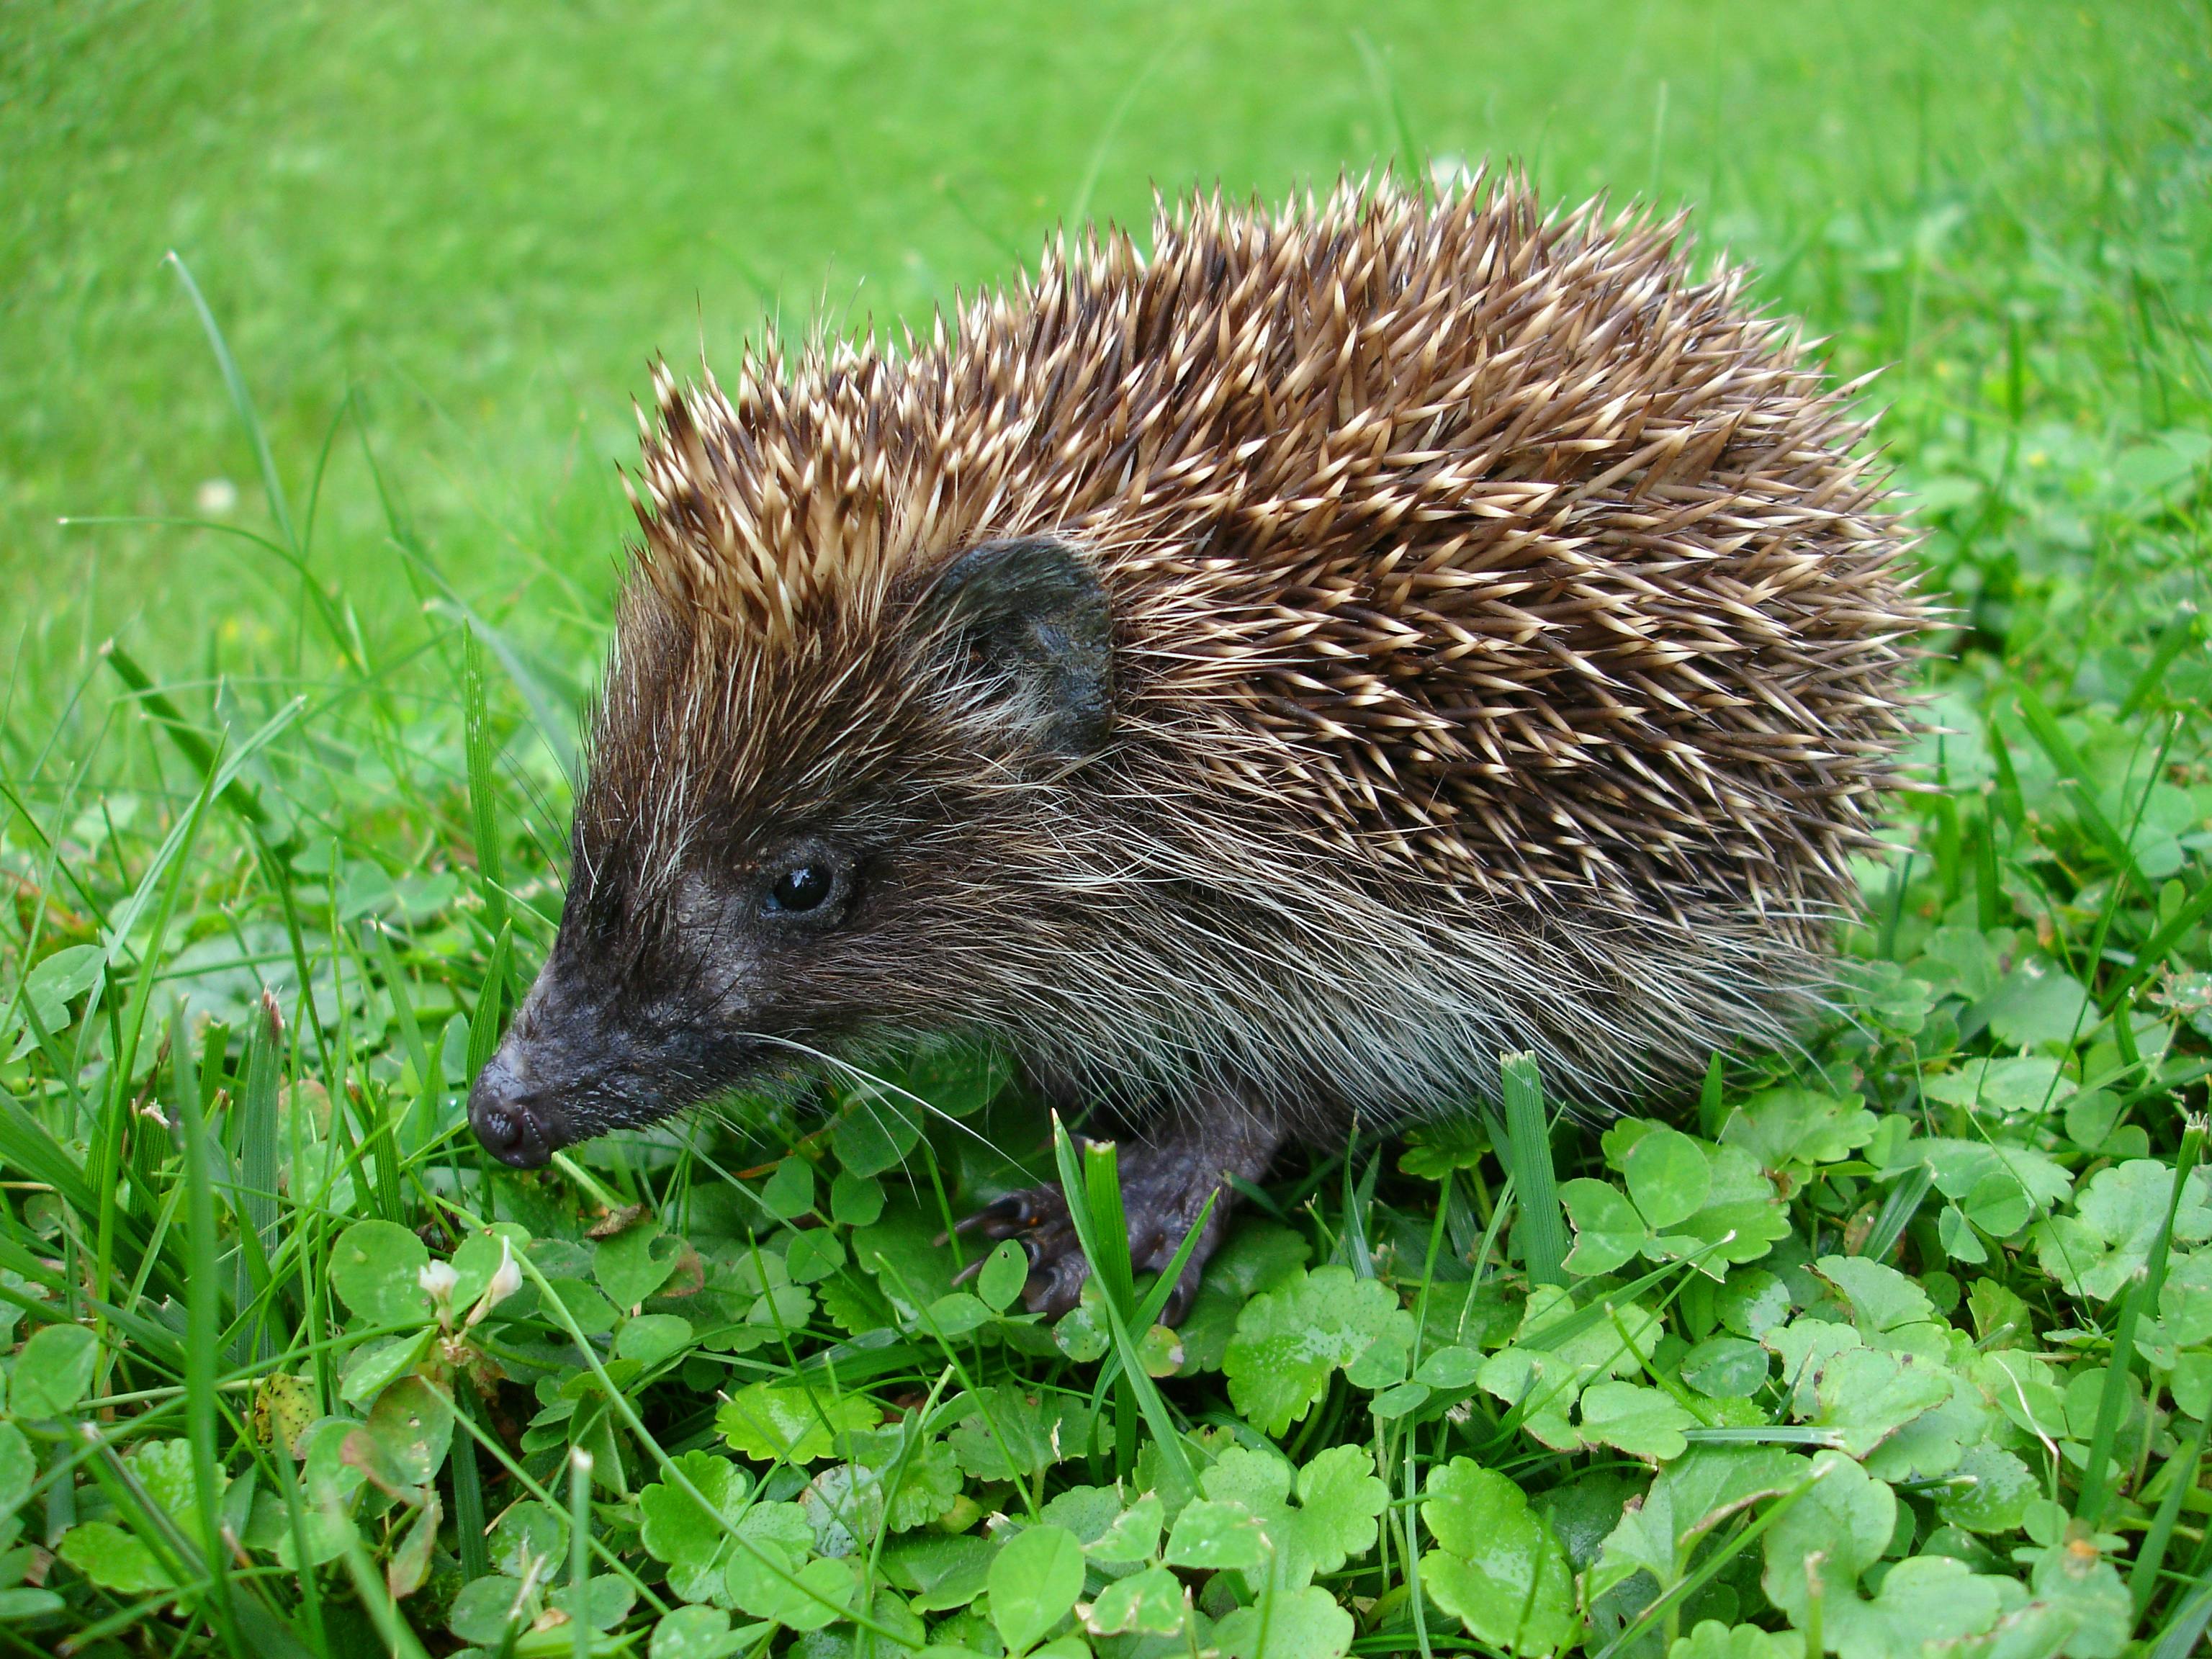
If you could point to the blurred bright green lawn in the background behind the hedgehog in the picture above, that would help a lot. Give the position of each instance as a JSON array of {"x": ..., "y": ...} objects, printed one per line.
[{"x": 486, "y": 222}]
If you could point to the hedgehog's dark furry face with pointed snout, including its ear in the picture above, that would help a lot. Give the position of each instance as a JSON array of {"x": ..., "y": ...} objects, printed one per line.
[{"x": 753, "y": 904}]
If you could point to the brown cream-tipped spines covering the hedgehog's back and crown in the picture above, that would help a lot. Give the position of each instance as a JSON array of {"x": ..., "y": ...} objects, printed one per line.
[{"x": 1461, "y": 541}]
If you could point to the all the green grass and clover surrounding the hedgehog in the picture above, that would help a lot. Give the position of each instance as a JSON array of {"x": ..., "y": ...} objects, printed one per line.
[{"x": 1930, "y": 1302}]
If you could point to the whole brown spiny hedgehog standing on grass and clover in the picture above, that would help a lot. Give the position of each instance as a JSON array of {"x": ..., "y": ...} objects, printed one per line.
[{"x": 1258, "y": 682}]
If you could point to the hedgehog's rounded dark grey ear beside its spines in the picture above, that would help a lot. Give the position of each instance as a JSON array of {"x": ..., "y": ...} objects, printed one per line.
[{"x": 1034, "y": 618}]
